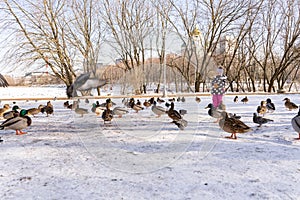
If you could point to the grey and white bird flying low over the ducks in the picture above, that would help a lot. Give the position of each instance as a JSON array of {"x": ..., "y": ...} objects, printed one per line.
[{"x": 84, "y": 83}]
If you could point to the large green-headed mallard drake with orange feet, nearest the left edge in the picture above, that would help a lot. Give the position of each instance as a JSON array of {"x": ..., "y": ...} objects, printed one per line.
[{"x": 17, "y": 123}]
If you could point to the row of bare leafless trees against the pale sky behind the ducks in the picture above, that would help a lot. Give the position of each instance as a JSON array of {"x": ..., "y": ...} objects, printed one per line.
[{"x": 69, "y": 34}]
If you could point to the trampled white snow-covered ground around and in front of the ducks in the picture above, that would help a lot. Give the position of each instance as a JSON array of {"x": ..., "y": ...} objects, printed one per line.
[{"x": 140, "y": 156}]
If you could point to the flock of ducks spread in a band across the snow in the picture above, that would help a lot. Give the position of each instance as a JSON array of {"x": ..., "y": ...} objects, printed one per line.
[{"x": 18, "y": 119}]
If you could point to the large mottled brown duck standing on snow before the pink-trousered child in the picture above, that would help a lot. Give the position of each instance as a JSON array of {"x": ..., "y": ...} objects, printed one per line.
[{"x": 232, "y": 125}]
